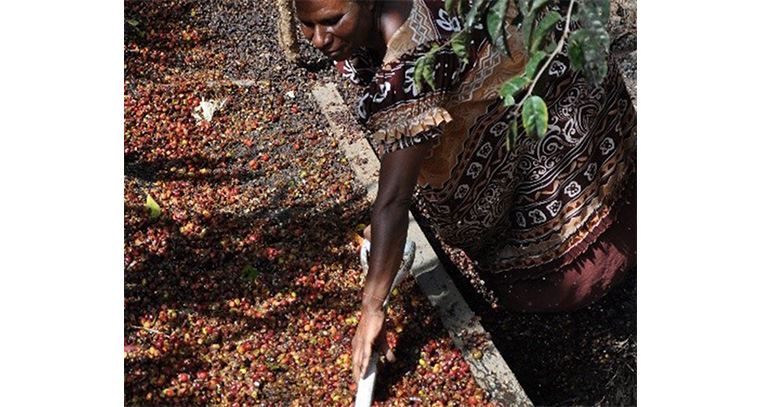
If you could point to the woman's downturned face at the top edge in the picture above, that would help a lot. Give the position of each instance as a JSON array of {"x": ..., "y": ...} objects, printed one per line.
[{"x": 336, "y": 27}]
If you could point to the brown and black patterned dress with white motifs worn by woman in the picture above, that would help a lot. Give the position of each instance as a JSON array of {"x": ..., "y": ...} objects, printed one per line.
[{"x": 522, "y": 213}]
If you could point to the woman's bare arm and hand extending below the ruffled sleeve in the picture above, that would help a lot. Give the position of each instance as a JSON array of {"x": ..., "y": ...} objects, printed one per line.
[{"x": 396, "y": 183}]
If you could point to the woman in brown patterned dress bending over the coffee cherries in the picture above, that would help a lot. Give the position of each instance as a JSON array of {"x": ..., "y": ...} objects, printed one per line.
[{"x": 550, "y": 224}]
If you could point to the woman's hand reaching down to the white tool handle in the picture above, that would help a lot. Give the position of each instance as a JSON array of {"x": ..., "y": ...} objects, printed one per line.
[{"x": 371, "y": 334}]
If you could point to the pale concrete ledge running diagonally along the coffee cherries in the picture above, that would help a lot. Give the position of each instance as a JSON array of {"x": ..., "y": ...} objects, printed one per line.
[{"x": 486, "y": 363}]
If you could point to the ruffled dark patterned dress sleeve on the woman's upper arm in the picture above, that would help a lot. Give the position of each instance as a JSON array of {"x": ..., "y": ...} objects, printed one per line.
[{"x": 400, "y": 115}]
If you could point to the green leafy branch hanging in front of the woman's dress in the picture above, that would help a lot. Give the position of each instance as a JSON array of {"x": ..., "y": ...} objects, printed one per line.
[{"x": 588, "y": 47}]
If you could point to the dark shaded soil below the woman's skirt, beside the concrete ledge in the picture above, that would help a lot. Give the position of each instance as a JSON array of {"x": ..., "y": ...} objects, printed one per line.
[{"x": 584, "y": 358}]
